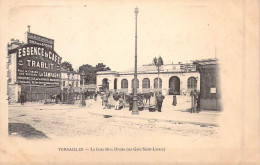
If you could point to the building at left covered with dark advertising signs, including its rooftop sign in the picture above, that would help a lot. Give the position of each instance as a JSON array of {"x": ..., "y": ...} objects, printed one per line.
[{"x": 33, "y": 68}]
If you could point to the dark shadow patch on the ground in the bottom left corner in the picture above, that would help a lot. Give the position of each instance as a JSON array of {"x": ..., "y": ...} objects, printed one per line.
[{"x": 24, "y": 130}]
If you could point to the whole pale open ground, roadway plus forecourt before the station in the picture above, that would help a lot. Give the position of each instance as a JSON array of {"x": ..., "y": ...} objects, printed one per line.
[{"x": 55, "y": 120}]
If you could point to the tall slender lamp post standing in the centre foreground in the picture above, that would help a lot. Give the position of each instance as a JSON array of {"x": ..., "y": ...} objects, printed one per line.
[{"x": 135, "y": 108}]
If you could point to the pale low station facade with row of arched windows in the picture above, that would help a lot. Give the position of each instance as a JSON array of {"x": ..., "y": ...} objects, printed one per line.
[{"x": 173, "y": 78}]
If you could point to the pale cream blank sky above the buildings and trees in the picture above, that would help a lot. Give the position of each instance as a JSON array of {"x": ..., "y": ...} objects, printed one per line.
[{"x": 91, "y": 32}]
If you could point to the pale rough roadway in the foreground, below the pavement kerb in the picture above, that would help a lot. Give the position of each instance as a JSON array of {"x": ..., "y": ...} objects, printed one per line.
[{"x": 72, "y": 121}]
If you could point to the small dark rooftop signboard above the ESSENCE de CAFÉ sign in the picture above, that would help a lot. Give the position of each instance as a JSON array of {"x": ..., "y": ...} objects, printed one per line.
[{"x": 39, "y": 40}]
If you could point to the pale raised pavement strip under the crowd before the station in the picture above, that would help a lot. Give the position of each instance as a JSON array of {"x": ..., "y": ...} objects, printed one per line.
[{"x": 177, "y": 114}]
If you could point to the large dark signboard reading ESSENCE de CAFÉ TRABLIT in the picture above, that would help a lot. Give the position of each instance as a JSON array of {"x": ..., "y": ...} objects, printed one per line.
[{"x": 38, "y": 65}]
